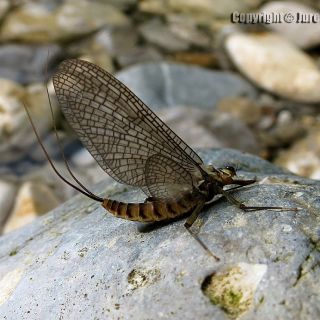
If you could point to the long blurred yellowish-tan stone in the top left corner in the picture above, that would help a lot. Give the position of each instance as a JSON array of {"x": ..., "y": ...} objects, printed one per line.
[{"x": 44, "y": 22}]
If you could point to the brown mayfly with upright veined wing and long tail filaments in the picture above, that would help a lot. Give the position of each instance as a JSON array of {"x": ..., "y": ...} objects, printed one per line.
[{"x": 136, "y": 148}]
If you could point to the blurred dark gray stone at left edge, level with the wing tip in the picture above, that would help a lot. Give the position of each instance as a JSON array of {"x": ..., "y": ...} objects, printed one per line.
[{"x": 27, "y": 64}]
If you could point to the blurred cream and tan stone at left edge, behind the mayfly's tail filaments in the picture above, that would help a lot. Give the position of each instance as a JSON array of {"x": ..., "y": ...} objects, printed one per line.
[{"x": 16, "y": 135}]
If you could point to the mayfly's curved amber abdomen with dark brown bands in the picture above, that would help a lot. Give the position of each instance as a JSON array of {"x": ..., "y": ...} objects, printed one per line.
[{"x": 151, "y": 211}]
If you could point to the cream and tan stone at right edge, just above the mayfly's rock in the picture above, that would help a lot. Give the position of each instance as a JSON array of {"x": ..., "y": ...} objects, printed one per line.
[{"x": 303, "y": 157}]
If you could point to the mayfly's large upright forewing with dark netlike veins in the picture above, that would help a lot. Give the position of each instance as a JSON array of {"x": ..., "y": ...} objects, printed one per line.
[{"x": 117, "y": 128}]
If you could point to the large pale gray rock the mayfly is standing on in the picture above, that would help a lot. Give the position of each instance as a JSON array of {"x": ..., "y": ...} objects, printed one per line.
[{"x": 80, "y": 262}]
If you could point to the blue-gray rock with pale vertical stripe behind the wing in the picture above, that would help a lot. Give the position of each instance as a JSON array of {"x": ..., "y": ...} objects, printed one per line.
[{"x": 164, "y": 84}]
